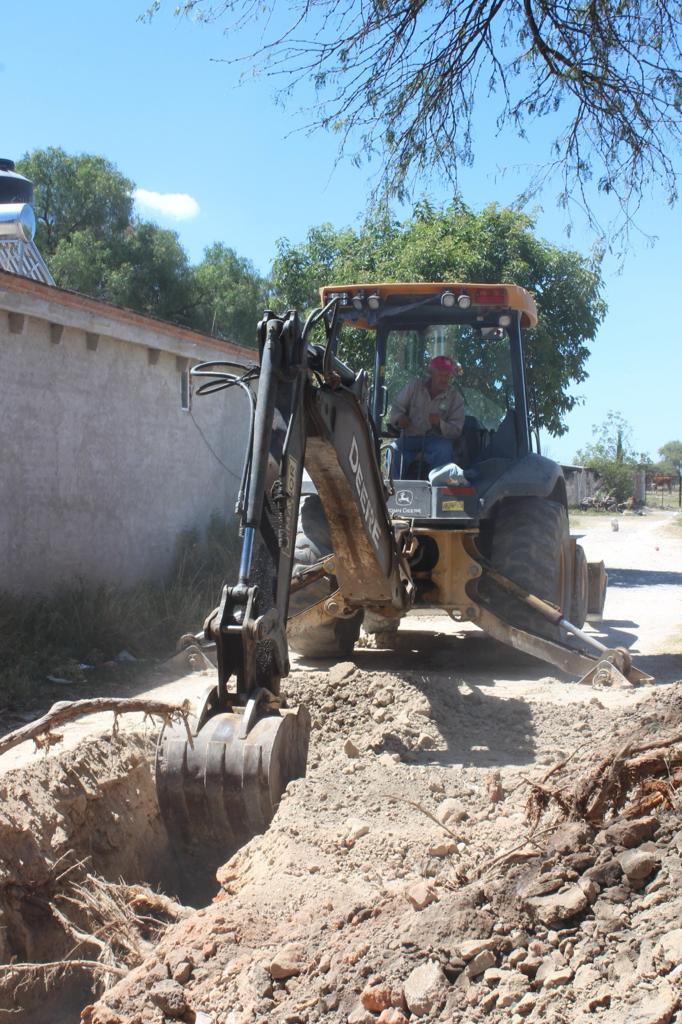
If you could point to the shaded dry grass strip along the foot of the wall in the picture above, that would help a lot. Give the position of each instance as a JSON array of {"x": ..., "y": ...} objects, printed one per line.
[{"x": 90, "y": 626}]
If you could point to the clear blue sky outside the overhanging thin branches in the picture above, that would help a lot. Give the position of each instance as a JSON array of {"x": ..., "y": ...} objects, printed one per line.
[{"x": 155, "y": 101}]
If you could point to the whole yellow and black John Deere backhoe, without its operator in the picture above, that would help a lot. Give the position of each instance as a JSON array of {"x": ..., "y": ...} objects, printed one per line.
[{"x": 486, "y": 538}]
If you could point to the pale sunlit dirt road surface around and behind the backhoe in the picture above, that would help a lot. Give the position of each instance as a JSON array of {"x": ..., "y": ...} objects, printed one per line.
[{"x": 644, "y": 613}]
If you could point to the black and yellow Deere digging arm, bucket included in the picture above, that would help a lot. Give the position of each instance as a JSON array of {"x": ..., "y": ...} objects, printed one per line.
[{"x": 224, "y": 783}]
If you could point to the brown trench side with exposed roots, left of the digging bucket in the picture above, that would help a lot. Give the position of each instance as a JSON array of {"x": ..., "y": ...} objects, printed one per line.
[{"x": 79, "y": 834}]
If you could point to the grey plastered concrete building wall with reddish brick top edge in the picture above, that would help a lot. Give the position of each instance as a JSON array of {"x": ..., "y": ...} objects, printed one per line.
[{"x": 101, "y": 467}]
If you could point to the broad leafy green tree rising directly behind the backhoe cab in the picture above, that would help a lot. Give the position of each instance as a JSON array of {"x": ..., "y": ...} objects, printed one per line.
[{"x": 456, "y": 244}]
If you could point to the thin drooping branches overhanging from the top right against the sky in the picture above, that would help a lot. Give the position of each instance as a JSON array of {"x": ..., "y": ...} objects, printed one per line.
[{"x": 404, "y": 81}]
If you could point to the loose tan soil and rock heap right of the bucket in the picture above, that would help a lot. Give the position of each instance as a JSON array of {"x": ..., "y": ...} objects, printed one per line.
[{"x": 417, "y": 875}]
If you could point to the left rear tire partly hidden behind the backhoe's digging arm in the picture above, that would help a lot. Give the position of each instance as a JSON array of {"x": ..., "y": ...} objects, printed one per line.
[{"x": 336, "y": 638}]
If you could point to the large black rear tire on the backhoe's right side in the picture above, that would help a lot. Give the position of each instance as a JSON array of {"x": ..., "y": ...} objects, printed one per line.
[{"x": 531, "y": 545}]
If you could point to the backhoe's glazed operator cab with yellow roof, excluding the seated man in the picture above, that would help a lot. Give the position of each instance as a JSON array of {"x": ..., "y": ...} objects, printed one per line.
[{"x": 399, "y": 329}]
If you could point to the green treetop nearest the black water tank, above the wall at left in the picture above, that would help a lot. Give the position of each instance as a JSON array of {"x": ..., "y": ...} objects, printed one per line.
[{"x": 76, "y": 194}]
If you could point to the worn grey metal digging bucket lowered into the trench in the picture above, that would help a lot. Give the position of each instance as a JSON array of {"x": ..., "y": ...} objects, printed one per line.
[{"x": 220, "y": 781}]
